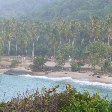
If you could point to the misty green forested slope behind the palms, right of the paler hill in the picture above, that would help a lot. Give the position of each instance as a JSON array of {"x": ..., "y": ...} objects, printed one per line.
[{"x": 76, "y": 9}]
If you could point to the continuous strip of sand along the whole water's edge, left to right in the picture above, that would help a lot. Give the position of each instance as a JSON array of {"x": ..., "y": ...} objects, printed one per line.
[{"x": 86, "y": 76}]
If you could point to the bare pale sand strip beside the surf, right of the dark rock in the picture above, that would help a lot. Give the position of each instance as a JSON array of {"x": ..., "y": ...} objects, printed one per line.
[{"x": 88, "y": 76}]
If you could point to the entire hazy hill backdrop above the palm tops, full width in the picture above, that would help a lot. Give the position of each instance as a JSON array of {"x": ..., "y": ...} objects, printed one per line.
[{"x": 52, "y": 9}]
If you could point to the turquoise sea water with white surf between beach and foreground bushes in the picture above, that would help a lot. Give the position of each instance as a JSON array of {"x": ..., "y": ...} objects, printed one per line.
[{"x": 11, "y": 86}]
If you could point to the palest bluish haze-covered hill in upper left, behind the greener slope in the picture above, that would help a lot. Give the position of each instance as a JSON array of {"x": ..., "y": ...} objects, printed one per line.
[{"x": 17, "y": 8}]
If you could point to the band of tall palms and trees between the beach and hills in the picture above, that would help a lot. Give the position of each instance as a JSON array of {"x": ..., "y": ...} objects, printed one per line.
[{"x": 64, "y": 40}]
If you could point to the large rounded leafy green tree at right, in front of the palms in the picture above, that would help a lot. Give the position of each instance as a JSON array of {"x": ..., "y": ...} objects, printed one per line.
[{"x": 98, "y": 52}]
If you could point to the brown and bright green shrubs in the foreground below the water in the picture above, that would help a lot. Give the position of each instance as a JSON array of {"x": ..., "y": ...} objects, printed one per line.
[{"x": 52, "y": 101}]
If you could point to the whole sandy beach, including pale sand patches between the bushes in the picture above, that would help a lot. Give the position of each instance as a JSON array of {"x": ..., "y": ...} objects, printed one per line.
[{"x": 85, "y": 76}]
